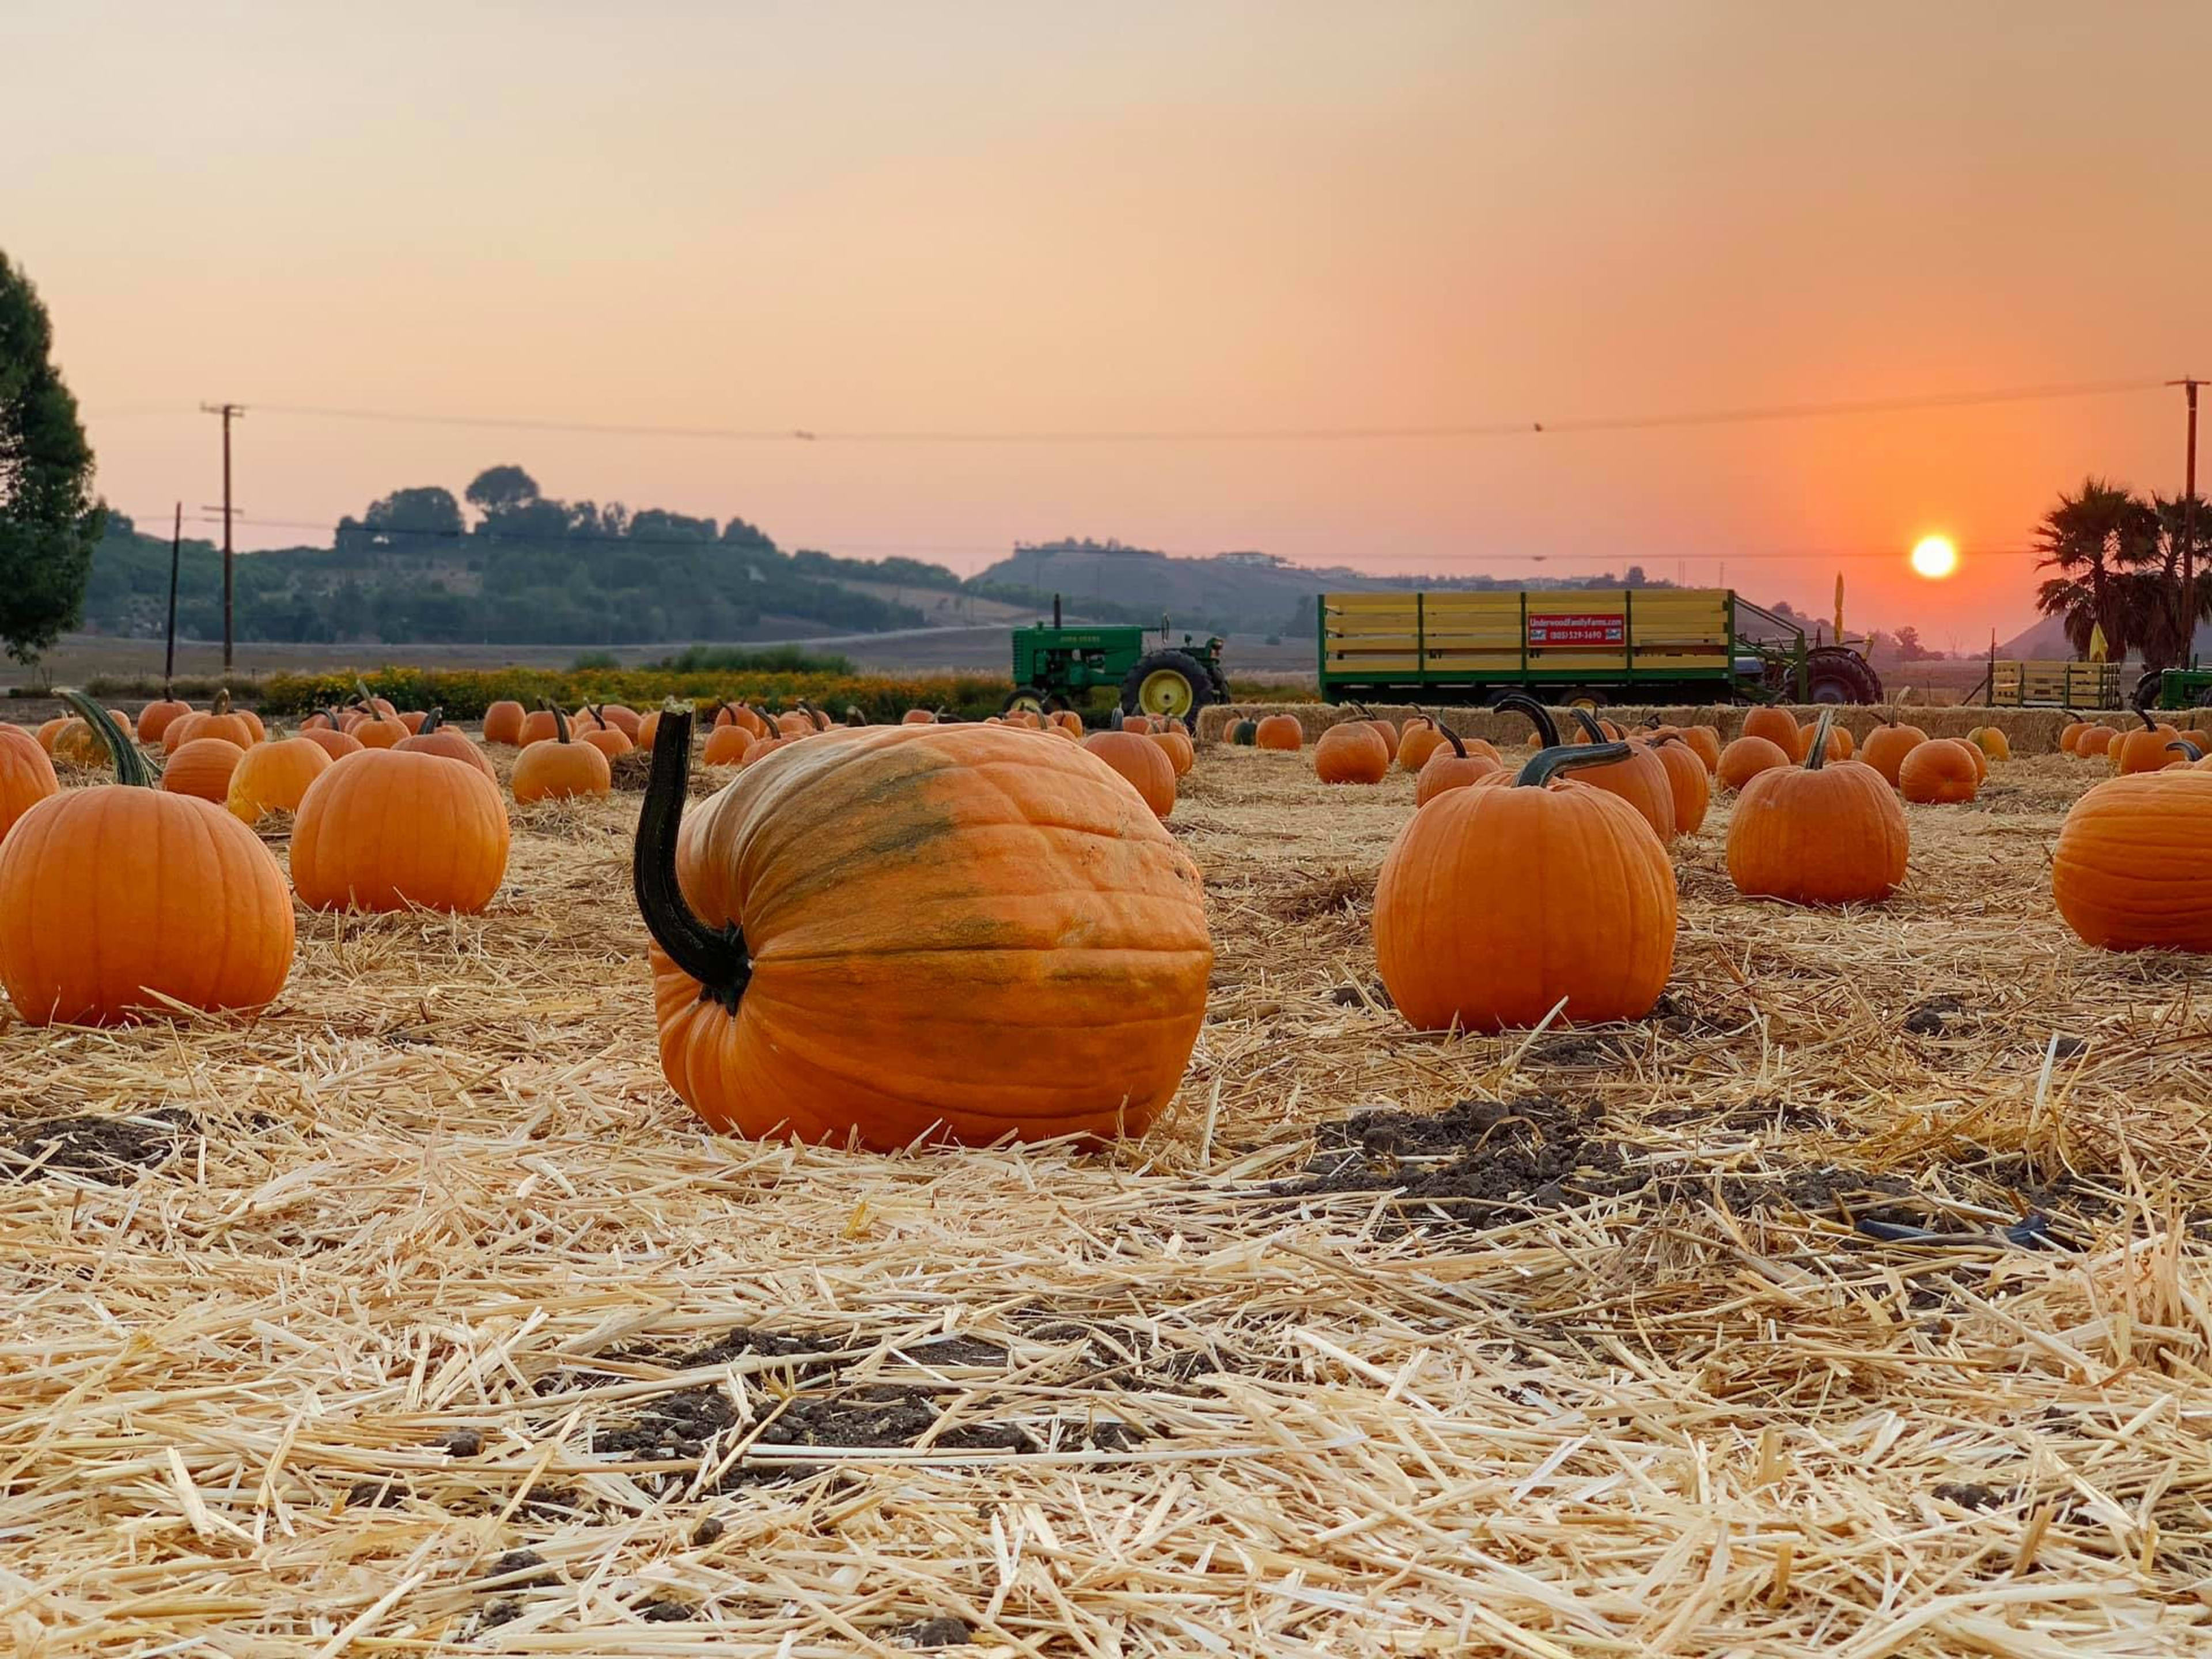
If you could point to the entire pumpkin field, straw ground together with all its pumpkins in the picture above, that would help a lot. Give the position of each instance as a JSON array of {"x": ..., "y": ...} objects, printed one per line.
[{"x": 1532, "y": 1182}]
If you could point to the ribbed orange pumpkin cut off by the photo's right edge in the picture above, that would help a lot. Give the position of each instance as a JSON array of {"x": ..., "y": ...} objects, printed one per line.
[{"x": 2133, "y": 868}]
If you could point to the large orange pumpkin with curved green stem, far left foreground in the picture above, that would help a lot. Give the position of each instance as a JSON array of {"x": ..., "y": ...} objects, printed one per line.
[{"x": 123, "y": 897}]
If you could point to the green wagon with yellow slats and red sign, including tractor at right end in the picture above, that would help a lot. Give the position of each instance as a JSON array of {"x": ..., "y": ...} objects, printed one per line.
[{"x": 1578, "y": 645}]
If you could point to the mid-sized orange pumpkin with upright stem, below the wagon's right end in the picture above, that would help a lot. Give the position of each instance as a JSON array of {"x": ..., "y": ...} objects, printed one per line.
[{"x": 1824, "y": 833}]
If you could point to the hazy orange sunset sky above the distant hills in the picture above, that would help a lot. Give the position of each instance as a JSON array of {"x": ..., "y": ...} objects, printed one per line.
[{"x": 1196, "y": 216}]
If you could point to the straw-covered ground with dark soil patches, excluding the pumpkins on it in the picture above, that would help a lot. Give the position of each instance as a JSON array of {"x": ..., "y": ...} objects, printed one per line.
[{"x": 417, "y": 1317}]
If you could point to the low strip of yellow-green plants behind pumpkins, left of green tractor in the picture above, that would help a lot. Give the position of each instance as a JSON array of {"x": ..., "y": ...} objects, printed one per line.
[{"x": 466, "y": 693}]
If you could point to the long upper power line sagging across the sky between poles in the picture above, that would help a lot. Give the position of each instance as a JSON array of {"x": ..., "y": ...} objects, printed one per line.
[{"x": 1574, "y": 426}]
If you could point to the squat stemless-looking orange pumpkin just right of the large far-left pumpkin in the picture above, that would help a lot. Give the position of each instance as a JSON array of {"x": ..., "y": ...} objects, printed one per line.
[{"x": 450, "y": 857}]
